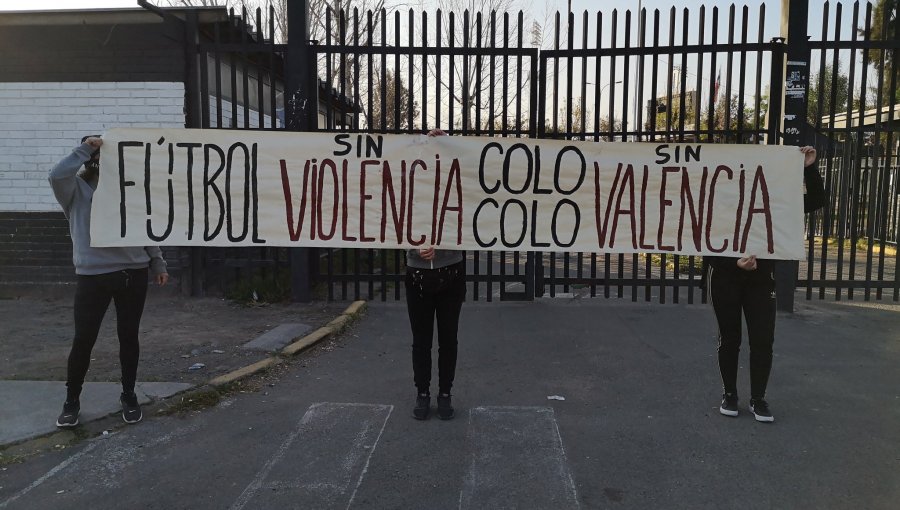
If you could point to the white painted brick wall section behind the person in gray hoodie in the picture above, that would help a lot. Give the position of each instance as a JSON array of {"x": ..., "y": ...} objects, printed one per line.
[{"x": 41, "y": 122}]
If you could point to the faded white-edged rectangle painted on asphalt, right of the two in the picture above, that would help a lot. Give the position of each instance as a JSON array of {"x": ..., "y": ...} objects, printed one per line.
[{"x": 518, "y": 461}]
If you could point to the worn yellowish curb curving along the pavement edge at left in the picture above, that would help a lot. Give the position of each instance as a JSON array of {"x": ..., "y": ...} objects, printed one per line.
[{"x": 210, "y": 391}]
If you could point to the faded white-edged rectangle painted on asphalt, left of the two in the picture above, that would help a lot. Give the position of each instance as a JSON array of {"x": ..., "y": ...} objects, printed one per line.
[{"x": 327, "y": 467}]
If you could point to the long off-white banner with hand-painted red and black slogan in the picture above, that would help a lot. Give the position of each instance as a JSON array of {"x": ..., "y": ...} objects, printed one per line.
[{"x": 192, "y": 187}]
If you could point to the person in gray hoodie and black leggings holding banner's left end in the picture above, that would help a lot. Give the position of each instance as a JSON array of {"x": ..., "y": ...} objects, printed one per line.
[{"x": 117, "y": 274}]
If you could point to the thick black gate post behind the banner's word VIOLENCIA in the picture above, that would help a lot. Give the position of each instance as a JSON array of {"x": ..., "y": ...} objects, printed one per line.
[{"x": 301, "y": 106}]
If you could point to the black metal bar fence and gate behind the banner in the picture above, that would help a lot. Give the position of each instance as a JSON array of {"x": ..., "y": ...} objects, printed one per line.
[{"x": 679, "y": 76}]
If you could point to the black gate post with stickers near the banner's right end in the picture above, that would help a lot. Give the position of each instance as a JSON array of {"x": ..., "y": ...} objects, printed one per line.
[{"x": 794, "y": 92}]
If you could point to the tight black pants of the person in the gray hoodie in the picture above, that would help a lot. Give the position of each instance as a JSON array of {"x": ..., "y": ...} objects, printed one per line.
[{"x": 128, "y": 289}]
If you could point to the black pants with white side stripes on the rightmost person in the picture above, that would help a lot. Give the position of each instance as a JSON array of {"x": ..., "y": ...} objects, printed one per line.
[{"x": 753, "y": 295}]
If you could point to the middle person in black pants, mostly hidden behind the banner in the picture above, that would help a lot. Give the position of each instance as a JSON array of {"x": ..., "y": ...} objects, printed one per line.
[{"x": 435, "y": 289}]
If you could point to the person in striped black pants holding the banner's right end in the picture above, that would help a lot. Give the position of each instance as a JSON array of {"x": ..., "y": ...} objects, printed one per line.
[{"x": 746, "y": 286}]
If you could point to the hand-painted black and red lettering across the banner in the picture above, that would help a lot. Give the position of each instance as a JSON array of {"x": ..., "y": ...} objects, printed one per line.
[{"x": 512, "y": 199}]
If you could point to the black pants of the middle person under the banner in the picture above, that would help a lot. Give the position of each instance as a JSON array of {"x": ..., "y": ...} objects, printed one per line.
[{"x": 435, "y": 294}]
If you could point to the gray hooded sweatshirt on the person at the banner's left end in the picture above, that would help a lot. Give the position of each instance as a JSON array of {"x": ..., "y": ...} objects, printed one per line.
[{"x": 75, "y": 195}]
